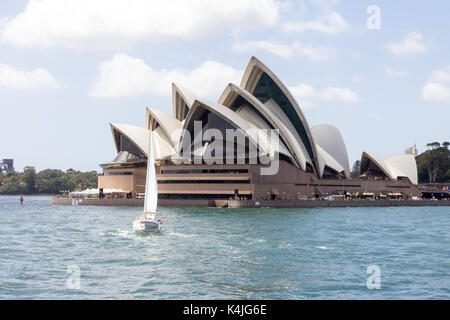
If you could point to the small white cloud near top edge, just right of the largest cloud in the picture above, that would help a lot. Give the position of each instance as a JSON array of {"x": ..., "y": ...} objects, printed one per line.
[{"x": 330, "y": 23}]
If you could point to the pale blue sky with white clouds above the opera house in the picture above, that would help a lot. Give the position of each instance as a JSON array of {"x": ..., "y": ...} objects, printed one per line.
[{"x": 377, "y": 70}]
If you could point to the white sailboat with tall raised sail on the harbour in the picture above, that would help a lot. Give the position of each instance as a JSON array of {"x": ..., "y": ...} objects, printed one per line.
[{"x": 149, "y": 220}]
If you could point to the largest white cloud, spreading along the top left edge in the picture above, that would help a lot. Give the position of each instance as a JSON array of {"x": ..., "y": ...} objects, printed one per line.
[{"x": 113, "y": 23}]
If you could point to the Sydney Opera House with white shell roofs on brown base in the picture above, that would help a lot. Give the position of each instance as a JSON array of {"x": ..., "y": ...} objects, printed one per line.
[{"x": 310, "y": 161}]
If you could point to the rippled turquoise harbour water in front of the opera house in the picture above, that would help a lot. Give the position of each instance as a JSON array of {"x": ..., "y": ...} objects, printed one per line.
[{"x": 211, "y": 253}]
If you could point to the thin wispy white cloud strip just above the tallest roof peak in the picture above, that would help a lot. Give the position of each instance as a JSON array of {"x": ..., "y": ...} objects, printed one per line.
[{"x": 314, "y": 53}]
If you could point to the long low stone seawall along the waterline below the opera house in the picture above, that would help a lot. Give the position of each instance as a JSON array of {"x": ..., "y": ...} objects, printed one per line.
[{"x": 254, "y": 204}]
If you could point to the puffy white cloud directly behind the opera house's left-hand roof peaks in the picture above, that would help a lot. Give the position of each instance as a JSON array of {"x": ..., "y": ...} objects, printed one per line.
[{"x": 125, "y": 76}]
